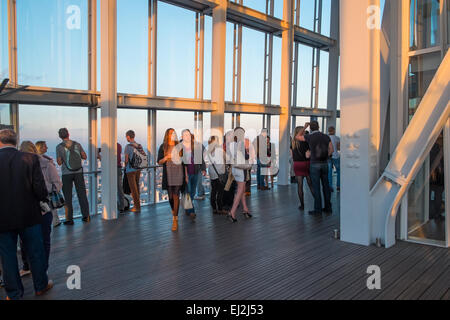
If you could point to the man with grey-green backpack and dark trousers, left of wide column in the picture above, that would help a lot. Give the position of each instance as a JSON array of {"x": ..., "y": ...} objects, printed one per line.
[{"x": 70, "y": 155}]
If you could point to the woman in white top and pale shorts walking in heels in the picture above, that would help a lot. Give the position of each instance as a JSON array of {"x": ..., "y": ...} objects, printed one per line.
[{"x": 242, "y": 160}]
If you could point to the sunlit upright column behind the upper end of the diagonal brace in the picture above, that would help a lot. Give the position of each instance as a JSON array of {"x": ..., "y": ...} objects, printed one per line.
[{"x": 399, "y": 70}]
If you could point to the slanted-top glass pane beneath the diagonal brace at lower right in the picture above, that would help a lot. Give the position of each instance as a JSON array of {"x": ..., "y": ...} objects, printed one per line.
[{"x": 426, "y": 198}]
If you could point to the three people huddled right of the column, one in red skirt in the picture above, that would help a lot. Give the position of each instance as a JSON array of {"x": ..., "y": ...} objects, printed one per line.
[{"x": 314, "y": 156}]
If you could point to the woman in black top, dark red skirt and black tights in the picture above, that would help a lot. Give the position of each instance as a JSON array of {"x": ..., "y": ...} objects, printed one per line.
[{"x": 301, "y": 155}]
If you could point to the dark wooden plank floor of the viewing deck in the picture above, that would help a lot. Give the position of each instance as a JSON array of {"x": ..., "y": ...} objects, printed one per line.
[{"x": 279, "y": 254}]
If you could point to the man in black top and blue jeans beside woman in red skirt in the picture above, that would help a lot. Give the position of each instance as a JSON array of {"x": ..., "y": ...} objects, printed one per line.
[{"x": 321, "y": 150}]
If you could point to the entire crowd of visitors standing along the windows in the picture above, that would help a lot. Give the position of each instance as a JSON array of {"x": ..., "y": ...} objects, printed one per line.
[{"x": 30, "y": 177}]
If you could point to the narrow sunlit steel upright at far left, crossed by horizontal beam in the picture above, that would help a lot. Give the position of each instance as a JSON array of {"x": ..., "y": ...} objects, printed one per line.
[{"x": 13, "y": 73}]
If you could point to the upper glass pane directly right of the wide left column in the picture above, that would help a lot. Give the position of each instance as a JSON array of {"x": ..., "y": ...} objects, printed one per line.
[{"x": 132, "y": 46}]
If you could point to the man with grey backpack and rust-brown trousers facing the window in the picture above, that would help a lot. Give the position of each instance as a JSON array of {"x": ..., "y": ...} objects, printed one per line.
[{"x": 135, "y": 160}]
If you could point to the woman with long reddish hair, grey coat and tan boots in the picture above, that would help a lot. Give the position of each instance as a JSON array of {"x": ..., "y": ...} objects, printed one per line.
[{"x": 173, "y": 172}]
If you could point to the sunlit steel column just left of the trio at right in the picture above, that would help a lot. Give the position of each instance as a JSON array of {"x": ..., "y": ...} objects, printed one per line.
[{"x": 285, "y": 94}]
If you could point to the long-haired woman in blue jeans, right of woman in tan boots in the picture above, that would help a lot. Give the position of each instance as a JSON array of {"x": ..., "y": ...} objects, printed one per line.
[{"x": 194, "y": 164}]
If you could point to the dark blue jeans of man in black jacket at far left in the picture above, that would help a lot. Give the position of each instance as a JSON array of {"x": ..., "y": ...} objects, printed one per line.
[{"x": 34, "y": 245}]
